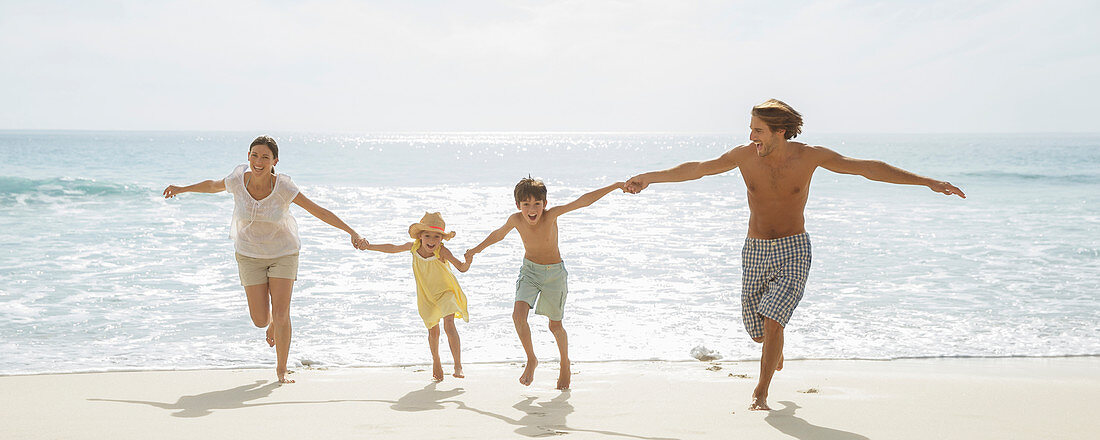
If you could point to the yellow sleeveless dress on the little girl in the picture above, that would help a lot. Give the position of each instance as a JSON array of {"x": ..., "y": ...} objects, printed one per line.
[{"x": 438, "y": 294}]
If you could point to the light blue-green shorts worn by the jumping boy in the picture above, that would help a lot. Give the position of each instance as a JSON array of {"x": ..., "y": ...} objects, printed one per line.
[{"x": 544, "y": 288}]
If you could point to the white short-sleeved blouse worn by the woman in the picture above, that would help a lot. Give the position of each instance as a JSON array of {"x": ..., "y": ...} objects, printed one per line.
[{"x": 263, "y": 229}]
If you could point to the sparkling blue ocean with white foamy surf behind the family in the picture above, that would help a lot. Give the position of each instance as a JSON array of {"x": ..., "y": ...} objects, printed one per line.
[{"x": 98, "y": 272}]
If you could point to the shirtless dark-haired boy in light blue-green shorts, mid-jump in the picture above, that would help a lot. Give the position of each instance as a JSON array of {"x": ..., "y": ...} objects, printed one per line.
[{"x": 542, "y": 283}]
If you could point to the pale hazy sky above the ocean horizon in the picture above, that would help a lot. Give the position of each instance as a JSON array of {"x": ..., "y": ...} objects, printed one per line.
[{"x": 567, "y": 65}]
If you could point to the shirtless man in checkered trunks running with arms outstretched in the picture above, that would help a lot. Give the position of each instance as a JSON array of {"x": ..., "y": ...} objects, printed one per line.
[{"x": 776, "y": 258}]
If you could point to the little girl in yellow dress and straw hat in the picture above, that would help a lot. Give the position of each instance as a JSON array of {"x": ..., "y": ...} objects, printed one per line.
[{"x": 438, "y": 295}]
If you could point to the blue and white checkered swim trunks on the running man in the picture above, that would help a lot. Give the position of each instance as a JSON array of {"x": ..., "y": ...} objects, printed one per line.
[{"x": 774, "y": 277}]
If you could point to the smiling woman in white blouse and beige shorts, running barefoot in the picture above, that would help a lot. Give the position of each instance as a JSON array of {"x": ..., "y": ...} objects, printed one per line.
[{"x": 267, "y": 239}]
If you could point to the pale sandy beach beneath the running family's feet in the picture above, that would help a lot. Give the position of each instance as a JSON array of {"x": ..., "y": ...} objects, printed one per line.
[{"x": 942, "y": 399}]
